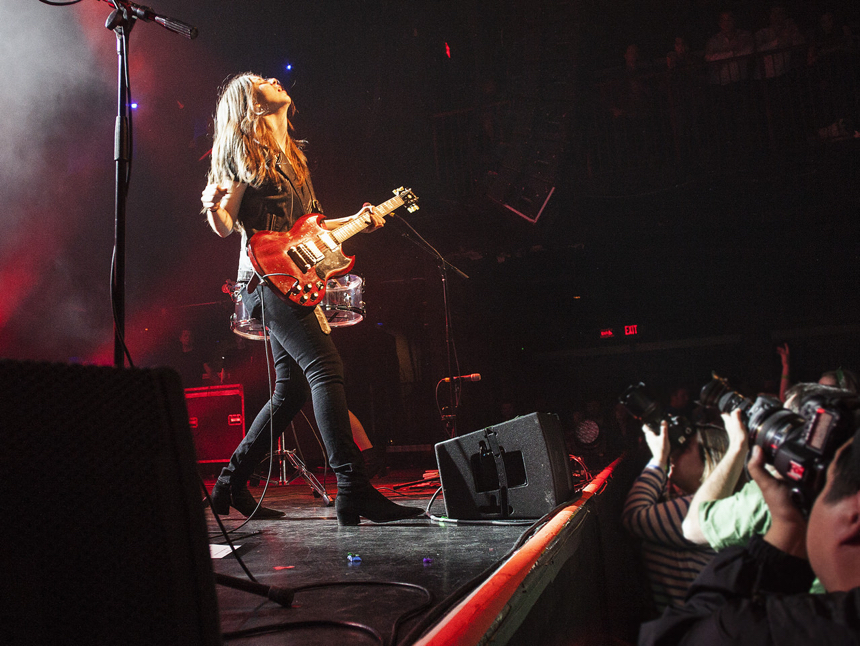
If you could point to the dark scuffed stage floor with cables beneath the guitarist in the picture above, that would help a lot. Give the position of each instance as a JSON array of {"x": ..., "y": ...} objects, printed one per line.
[{"x": 405, "y": 566}]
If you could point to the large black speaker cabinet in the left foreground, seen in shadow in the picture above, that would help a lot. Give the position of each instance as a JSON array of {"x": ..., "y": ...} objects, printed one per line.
[{"x": 106, "y": 541}]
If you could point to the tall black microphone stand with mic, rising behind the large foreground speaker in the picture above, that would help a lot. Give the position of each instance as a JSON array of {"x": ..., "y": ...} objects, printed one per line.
[{"x": 121, "y": 21}]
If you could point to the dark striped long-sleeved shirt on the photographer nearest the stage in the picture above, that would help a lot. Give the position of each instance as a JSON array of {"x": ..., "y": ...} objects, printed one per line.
[{"x": 653, "y": 512}]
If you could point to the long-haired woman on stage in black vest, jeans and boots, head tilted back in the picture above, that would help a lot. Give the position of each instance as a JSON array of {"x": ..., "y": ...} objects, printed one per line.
[{"x": 259, "y": 181}]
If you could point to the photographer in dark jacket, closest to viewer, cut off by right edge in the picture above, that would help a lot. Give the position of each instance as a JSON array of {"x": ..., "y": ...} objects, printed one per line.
[{"x": 756, "y": 594}]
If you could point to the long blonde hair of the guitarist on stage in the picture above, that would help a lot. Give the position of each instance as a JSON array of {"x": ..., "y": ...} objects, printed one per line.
[{"x": 244, "y": 148}]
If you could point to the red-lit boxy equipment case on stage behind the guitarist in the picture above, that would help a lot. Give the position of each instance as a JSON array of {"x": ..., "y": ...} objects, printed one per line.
[{"x": 216, "y": 415}]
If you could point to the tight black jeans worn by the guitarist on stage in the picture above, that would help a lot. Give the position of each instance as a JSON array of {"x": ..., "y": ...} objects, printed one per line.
[{"x": 297, "y": 338}]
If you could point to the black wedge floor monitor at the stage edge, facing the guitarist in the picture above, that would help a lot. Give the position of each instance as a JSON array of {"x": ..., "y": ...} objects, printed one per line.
[{"x": 517, "y": 469}]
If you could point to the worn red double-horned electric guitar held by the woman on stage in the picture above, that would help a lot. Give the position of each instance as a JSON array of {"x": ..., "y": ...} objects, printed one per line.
[{"x": 297, "y": 263}]
